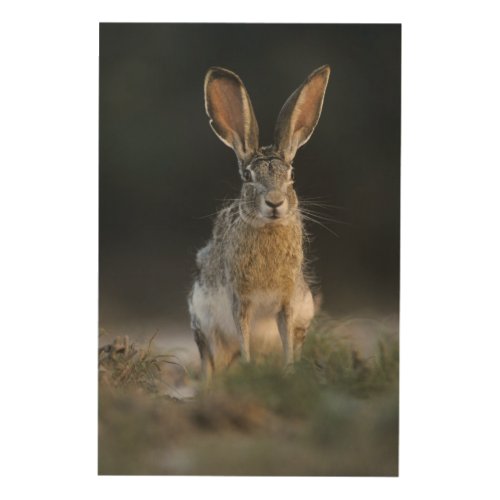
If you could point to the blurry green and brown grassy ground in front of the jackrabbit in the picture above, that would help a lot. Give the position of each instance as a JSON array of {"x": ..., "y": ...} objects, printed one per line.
[{"x": 335, "y": 414}]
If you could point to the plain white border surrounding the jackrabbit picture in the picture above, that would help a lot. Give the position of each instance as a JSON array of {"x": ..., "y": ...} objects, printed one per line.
[{"x": 450, "y": 248}]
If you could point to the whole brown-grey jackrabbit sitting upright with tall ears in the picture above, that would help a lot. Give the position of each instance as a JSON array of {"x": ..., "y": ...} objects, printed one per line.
[{"x": 250, "y": 291}]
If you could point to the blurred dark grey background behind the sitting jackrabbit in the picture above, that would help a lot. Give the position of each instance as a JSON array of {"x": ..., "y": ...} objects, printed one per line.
[{"x": 162, "y": 169}]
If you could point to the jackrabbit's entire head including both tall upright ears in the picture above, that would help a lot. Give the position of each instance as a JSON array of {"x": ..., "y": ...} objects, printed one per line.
[{"x": 267, "y": 194}]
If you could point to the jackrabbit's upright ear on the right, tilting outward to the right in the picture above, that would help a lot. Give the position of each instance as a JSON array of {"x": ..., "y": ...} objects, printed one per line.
[{"x": 300, "y": 113}]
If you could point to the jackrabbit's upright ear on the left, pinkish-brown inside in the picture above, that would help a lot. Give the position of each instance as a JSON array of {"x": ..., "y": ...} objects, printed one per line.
[{"x": 230, "y": 111}]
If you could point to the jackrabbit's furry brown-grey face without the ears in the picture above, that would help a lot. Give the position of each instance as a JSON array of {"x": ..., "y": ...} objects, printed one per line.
[{"x": 267, "y": 195}]
